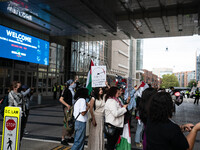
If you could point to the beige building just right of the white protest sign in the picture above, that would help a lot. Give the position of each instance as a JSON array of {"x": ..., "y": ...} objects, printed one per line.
[{"x": 120, "y": 60}]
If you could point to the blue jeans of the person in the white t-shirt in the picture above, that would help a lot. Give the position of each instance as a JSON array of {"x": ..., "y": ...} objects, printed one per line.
[{"x": 79, "y": 137}]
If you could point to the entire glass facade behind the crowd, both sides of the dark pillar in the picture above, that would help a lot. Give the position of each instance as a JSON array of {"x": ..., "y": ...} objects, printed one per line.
[{"x": 43, "y": 77}]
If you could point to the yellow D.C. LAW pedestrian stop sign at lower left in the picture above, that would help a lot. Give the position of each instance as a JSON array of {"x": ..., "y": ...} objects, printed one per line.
[{"x": 11, "y": 128}]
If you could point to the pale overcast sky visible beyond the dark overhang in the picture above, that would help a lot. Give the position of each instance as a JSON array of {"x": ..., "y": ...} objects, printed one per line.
[{"x": 180, "y": 55}]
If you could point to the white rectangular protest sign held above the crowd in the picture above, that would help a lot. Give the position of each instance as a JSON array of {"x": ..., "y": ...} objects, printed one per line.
[{"x": 98, "y": 76}]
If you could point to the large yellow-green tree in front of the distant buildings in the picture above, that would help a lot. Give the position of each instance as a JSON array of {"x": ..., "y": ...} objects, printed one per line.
[{"x": 169, "y": 80}]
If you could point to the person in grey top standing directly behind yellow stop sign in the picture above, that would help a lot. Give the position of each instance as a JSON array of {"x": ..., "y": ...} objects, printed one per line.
[{"x": 15, "y": 99}]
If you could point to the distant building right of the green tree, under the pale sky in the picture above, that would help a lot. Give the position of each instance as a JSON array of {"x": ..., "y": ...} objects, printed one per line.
[{"x": 185, "y": 77}]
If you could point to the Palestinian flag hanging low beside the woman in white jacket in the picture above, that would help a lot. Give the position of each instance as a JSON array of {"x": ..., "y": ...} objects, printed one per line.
[{"x": 124, "y": 142}]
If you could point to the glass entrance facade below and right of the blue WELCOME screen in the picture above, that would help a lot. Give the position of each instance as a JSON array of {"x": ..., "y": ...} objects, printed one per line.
[{"x": 39, "y": 77}]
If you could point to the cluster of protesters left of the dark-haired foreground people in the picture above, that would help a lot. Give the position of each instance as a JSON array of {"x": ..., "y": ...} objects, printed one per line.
[{"x": 103, "y": 105}]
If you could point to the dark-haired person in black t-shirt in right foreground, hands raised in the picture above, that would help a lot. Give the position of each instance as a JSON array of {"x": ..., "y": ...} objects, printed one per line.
[{"x": 161, "y": 132}]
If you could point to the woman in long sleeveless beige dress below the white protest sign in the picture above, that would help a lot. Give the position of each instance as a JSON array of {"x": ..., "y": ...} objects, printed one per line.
[{"x": 97, "y": 104}]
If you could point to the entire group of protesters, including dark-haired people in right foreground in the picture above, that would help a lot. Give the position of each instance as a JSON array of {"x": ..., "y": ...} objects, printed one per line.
[{"x": 109, "y": 109}]
